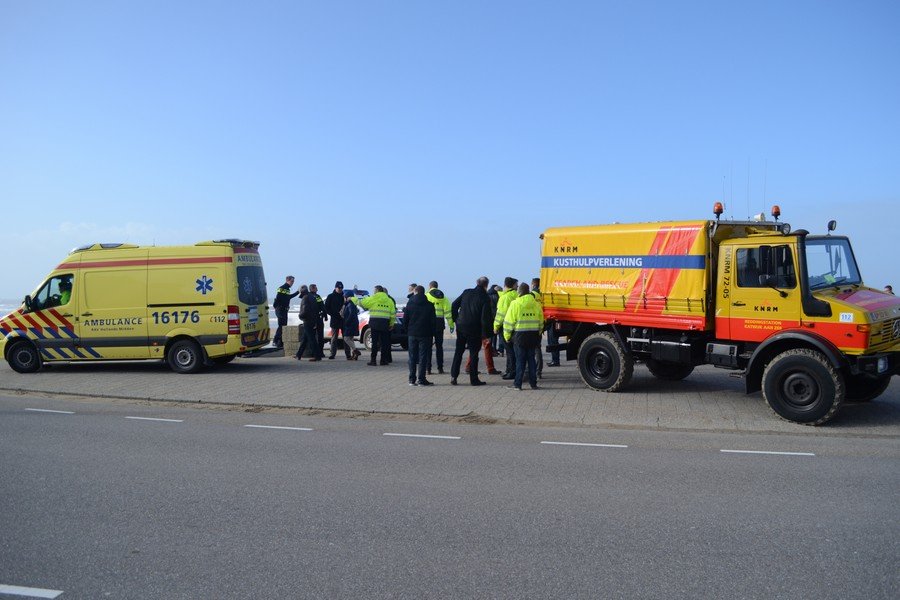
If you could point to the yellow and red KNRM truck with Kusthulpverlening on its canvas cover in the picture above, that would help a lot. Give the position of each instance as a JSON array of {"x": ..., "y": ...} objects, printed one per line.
[{"x": 786, "y": 309}]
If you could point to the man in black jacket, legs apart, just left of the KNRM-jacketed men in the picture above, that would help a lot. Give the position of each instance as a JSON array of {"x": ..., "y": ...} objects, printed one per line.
[{"x": 472, "y": 314}]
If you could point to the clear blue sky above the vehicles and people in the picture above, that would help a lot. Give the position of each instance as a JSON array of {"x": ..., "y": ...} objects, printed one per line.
[{"x": 389, "y": 142}]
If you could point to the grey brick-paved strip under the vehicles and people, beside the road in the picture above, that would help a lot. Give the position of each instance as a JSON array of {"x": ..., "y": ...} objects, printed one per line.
[{"x": 707, "y": 400}]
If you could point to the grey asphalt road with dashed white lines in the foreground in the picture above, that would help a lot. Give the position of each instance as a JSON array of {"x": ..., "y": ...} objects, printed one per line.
[{"x": 95, "y": 504}]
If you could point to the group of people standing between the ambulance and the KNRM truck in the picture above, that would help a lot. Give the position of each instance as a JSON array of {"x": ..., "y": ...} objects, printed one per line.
[{"x": 480, "y": 315}]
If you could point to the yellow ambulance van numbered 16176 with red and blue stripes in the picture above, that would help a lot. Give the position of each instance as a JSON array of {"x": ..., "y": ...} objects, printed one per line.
[{"x": 192, "y": 306}]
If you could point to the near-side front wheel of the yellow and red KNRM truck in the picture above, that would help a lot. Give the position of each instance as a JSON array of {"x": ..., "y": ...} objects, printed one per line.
[{"x": 801, "y": 386}]
